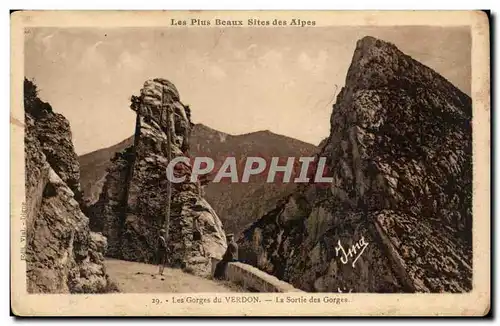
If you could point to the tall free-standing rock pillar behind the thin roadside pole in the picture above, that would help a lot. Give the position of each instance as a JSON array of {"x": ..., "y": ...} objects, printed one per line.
[{"x": 132, "y": 205}]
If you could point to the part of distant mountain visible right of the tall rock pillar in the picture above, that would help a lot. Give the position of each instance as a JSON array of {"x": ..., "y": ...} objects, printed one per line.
[{"x": 239, "y": 204}]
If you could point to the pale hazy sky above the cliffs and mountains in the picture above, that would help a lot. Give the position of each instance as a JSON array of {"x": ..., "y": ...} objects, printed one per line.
[{"x": 236, "y": 80}]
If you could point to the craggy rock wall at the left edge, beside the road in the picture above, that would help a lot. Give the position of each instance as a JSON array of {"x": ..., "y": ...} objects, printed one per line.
[{"x": 62, "y": 254}]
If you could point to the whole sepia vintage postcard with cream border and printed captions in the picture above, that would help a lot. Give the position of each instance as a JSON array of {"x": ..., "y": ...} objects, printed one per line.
[{"x": 250, "y": 163}]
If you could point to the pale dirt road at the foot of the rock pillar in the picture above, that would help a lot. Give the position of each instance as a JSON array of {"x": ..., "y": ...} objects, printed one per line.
[{"x": 132, "y": 277}]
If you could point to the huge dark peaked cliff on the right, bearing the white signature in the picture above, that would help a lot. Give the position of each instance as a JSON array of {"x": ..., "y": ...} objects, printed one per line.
[{"x": 398, "y": 214}]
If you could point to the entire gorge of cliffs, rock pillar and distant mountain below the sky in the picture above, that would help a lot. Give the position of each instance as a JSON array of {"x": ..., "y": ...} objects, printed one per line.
[{"x": 395, "y": 216}]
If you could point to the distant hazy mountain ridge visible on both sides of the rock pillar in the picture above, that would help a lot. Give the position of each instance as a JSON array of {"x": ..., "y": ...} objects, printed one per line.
[{"x": 236, "y": 204}]
